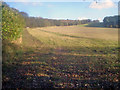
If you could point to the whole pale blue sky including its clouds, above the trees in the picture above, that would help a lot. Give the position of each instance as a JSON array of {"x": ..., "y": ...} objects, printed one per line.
[{"x": 68, "y": 10}]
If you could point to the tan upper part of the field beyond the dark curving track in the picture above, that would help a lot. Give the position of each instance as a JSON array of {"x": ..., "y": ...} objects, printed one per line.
[{"x": 89, "y": 32}]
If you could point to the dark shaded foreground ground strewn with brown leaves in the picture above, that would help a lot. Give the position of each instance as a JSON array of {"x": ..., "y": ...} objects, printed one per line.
[{"x": 60, "y": 70}]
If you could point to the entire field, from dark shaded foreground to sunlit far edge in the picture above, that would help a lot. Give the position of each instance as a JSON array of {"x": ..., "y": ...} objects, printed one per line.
[{"x": 67, "y": 57}]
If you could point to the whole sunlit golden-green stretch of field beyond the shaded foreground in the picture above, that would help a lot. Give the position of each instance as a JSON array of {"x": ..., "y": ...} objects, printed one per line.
[{"x": 76, "y": 36}]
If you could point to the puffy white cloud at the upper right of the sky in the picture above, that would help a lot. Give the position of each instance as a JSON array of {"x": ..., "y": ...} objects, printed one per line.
[{"x": 102, "y": 5}]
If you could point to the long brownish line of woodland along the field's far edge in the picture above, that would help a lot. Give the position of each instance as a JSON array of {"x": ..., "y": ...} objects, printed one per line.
[{"x": 42, "y": 22}]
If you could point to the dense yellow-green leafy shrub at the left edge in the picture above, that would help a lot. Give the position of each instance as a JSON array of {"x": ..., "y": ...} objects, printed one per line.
[{"x": 12, "y": 23}]
